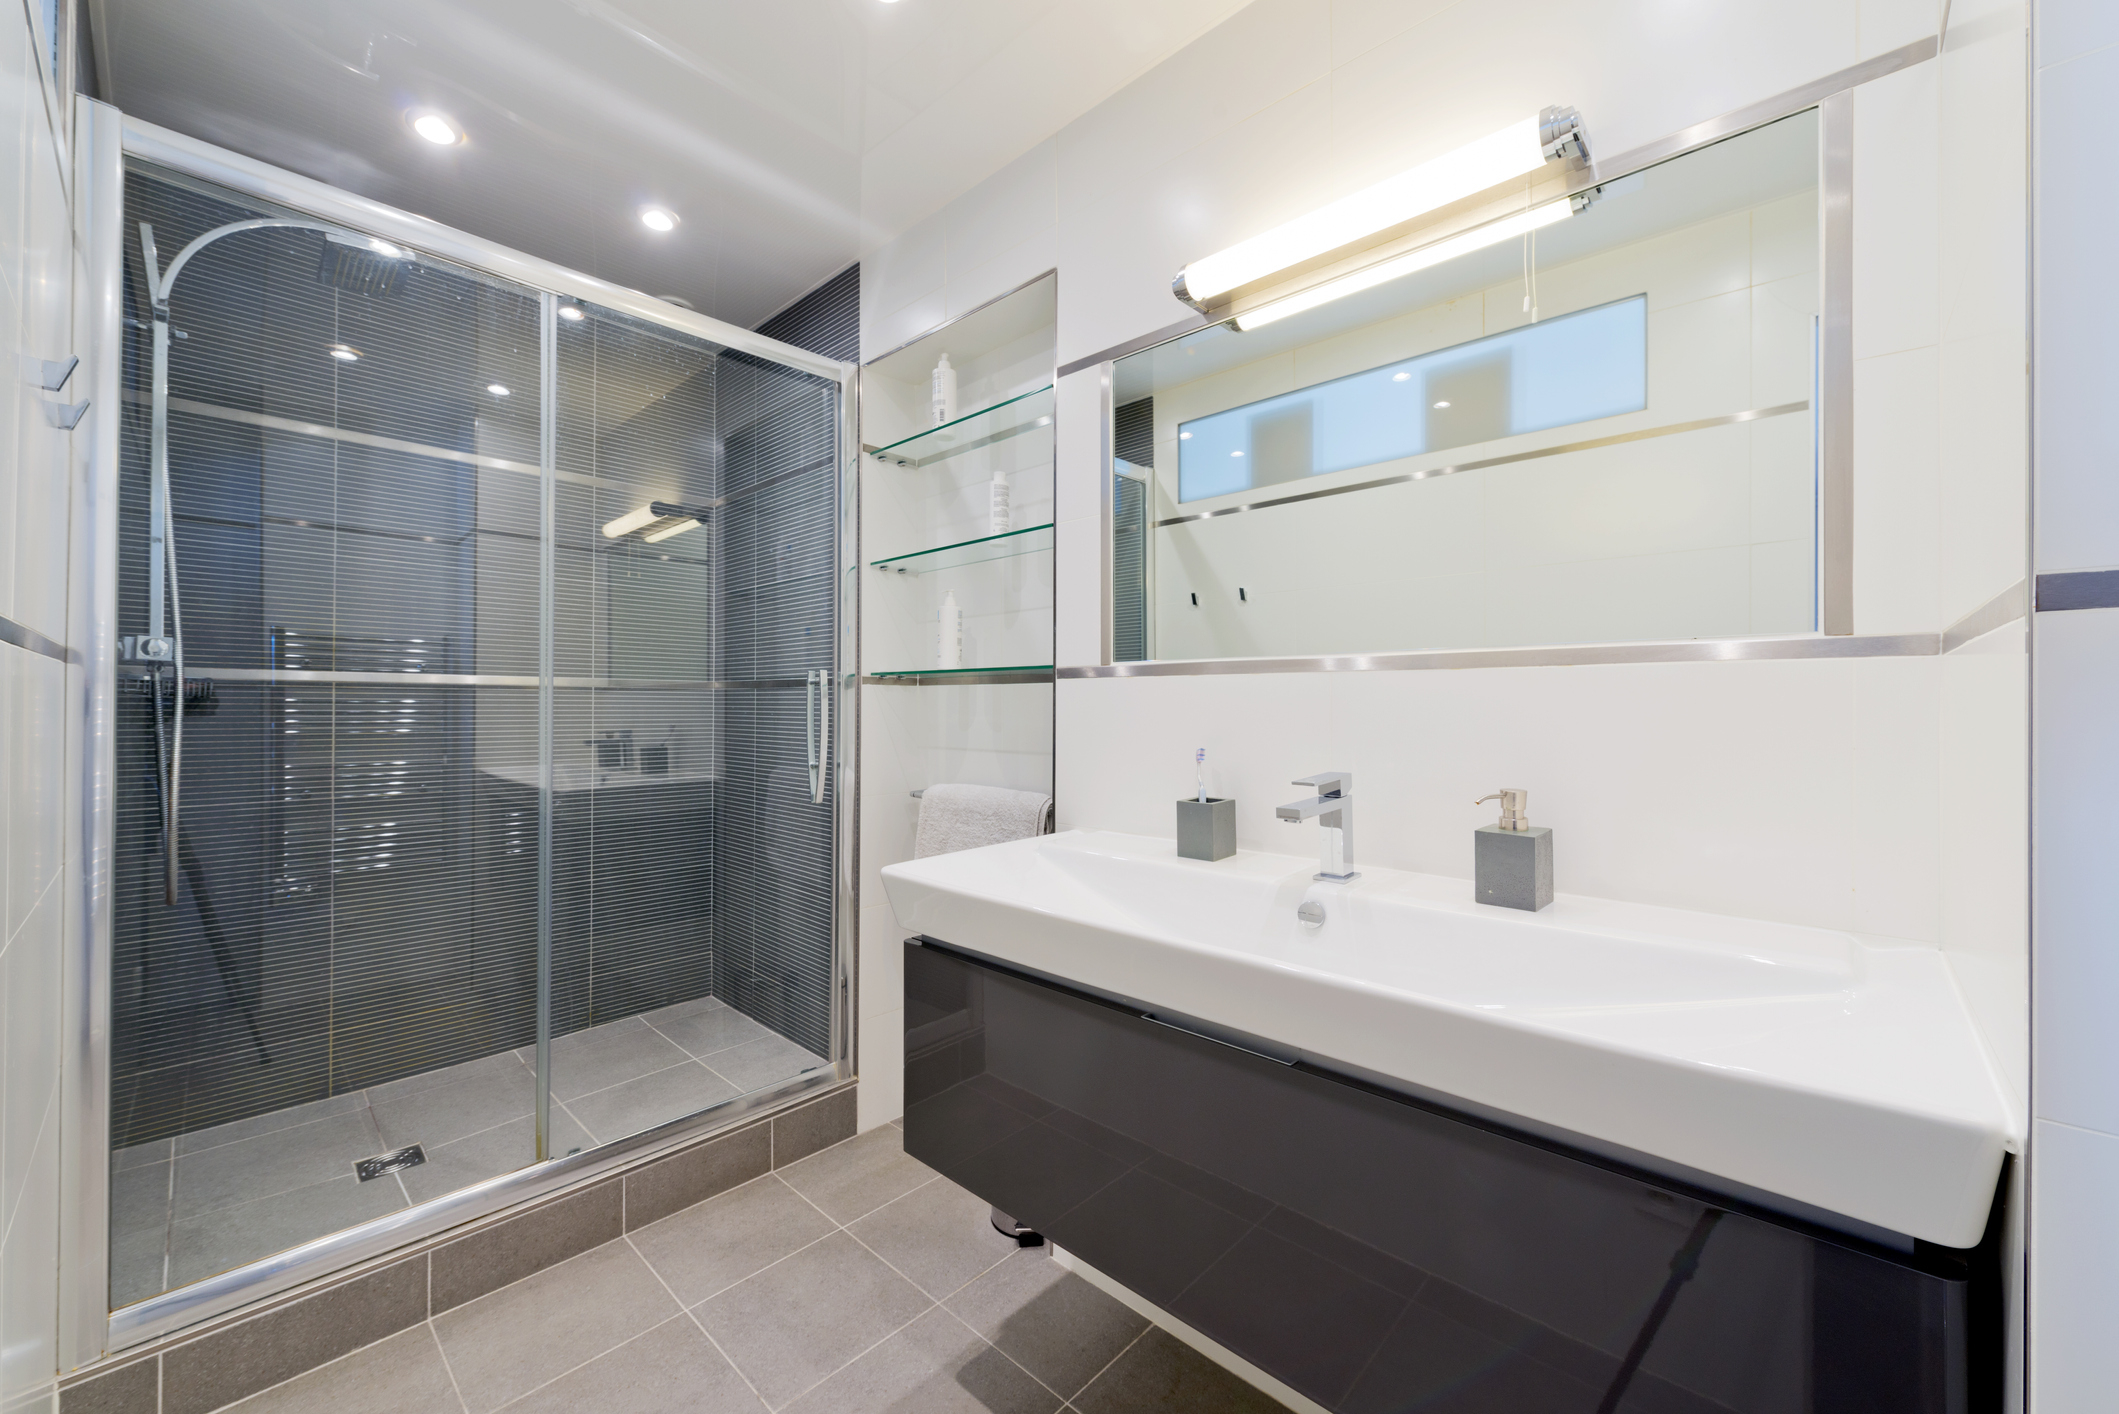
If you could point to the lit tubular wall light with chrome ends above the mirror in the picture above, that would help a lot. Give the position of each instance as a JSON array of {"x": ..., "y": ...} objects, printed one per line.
[{"x": 1474, "y": 169}]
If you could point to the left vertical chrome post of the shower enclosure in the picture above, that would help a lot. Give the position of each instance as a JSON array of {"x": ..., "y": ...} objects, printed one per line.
[{"x": 84, "y": 1298}]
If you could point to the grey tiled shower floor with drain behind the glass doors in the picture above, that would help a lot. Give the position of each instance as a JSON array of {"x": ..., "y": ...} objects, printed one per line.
[{"x": 202, "y": 1203}]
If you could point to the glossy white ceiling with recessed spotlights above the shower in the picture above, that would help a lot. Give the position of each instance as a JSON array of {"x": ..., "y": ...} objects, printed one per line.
[{"x": 787, "y": 135}]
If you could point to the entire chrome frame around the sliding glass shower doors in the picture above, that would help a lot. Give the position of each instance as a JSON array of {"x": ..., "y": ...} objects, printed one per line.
[{"x": 103, "y": 143}]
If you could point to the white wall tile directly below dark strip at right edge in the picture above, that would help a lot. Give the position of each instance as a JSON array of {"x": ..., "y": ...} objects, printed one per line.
[{"x": 2076, "y": 1048}]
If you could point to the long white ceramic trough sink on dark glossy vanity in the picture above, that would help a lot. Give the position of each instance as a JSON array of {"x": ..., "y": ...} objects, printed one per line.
[{"x": 1792, "y": 1061}]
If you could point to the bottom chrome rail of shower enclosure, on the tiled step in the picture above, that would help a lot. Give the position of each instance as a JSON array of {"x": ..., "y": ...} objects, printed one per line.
[{"x": 202, "y": 1301}]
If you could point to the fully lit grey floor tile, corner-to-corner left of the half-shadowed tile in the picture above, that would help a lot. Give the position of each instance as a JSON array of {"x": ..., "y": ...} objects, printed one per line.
[{"x": 798, "y": 1322}]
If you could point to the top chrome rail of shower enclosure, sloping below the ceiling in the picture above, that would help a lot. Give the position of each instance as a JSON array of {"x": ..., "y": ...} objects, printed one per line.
[{"x": 283, "y": 188}]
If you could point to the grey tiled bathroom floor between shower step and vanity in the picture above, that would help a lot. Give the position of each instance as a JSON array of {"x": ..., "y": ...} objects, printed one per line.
[{"x": 855, "y": 1282}]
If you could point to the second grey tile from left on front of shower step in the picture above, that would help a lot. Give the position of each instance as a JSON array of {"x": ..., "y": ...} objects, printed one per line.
[{"x": 283, "y": 1343}]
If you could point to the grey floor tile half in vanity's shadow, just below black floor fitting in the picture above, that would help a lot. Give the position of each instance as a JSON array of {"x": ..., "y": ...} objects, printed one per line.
[{"x": 1046, "y": 1320}]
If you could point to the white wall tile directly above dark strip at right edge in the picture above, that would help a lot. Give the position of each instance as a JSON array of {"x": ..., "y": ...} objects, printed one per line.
[{"x": 2078, "y": 408}]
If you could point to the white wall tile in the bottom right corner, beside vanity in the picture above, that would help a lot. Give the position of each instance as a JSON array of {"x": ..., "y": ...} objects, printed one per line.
[{"x": 2073, "y": 1271}]
